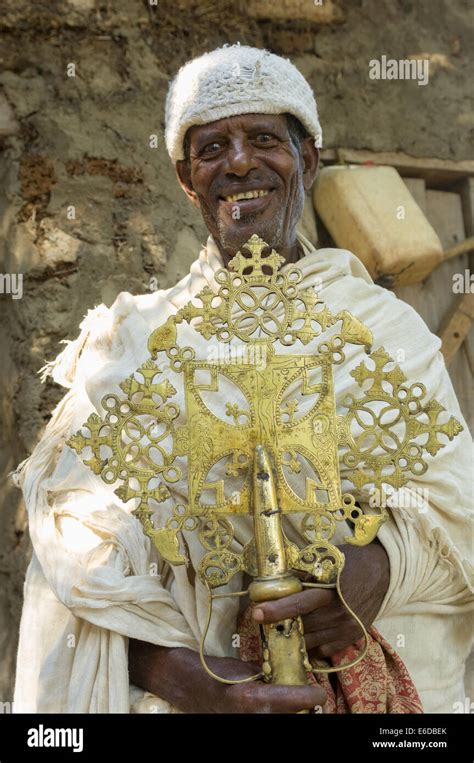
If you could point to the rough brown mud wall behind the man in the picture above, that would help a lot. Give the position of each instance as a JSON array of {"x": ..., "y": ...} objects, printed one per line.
[{"x": 89, "y": 205}]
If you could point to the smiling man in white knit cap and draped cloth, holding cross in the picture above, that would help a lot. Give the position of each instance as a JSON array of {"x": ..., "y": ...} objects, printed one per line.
[{"x": 99, "y": 632}]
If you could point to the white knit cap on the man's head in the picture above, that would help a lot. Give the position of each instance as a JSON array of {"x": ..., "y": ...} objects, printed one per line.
[{"x": 236, "y": 79}]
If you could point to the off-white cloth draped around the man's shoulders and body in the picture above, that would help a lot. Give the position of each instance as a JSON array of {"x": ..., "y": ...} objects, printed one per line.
[{"x": 95, "y": 580}]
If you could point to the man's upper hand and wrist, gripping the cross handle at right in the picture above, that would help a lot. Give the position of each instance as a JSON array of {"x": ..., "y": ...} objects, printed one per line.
[{"x": 328, "y": 626}]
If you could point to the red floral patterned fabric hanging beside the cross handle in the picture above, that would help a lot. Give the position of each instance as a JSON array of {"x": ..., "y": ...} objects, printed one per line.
[{"x": 380, "y": 683}]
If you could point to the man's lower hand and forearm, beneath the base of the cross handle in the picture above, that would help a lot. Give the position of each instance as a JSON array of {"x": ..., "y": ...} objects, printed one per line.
[{"x": 177, "y": 676}]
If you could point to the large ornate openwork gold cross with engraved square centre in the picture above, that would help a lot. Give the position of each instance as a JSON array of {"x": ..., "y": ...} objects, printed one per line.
[{"x": 279, "y": 412}]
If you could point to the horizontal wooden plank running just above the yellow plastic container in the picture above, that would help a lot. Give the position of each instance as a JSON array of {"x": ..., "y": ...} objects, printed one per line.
[{"x": 437, "y": 173}]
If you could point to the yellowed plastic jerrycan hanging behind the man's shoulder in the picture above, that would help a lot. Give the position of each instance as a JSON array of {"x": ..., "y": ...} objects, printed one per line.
[{"x": 370, "y": 211}]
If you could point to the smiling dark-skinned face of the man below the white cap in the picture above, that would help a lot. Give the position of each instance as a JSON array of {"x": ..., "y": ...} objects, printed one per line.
[{"x": 248, "y": 175}]
